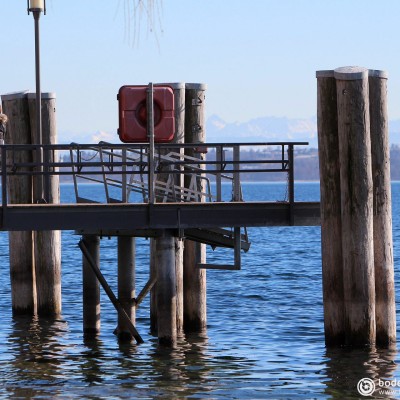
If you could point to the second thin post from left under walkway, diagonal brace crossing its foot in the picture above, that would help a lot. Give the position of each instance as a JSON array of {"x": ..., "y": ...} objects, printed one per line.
[{"x": 126, "y": 284}]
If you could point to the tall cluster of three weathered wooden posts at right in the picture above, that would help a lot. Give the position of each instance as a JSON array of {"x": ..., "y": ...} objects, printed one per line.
[{"x": 365, "y": 260}]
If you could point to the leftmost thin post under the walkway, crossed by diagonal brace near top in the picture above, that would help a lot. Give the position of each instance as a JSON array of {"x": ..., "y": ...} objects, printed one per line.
[{"x": 91, "y": 288}]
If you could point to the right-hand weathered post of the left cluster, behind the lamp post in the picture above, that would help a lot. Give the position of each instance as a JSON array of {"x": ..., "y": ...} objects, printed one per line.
[{"x": 47, "y": 244}]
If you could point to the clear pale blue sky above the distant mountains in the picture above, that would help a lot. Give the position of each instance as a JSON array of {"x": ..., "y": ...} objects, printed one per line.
[{"x": 258, "y": 57}]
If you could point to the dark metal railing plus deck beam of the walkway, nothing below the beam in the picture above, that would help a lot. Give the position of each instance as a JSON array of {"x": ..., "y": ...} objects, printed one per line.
[{"x": 220, "y": 167}]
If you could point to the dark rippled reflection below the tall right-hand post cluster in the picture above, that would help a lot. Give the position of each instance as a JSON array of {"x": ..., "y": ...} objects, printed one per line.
[{"x": 346, "y": 366}]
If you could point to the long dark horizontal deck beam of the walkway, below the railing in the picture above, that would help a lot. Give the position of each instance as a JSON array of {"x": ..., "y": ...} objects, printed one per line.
[{"x": 86, "y": 218}]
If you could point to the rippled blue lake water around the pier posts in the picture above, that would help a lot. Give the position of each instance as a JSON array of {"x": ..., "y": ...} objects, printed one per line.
[{"x": 264, "y": 338}]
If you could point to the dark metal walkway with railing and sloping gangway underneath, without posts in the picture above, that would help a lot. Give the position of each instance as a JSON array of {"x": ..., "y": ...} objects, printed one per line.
[{"x": 145, "y": 191}]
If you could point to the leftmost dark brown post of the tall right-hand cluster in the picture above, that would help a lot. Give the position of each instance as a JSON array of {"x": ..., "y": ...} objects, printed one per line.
[{"x": 331, "y": 226}]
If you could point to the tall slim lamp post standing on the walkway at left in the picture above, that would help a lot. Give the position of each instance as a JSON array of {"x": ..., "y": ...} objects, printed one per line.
[{"x": 37, "y": 7}]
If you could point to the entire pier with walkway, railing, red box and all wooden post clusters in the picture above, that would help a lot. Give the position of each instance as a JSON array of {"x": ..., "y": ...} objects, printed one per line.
[{"x": 176, "y": 194}]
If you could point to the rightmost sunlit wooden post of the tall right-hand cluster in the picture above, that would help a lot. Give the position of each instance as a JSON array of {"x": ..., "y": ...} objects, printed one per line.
[{"x": 383, "y": 243}]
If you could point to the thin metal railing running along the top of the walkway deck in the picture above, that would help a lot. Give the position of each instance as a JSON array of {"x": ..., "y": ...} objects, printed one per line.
[{"x": 136, "y": 156}]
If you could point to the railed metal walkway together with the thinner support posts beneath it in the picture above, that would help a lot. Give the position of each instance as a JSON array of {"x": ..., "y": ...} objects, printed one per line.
[{"x": 126, "y": 212}]
